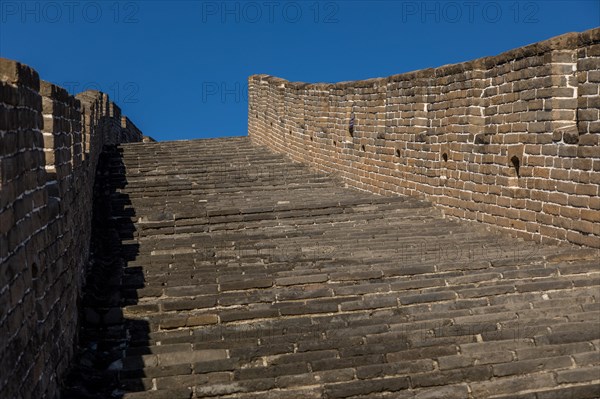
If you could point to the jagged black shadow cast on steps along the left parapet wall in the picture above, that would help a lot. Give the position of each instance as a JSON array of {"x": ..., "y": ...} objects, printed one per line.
[{"x": 105, "y": 334}]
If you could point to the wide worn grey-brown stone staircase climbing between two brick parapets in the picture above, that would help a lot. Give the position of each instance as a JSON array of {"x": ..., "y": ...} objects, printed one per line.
[{"x": 245, "y": 275}]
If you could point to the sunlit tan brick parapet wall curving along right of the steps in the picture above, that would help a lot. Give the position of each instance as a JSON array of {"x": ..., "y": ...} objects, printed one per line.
[{"x": 510, "y": 140}]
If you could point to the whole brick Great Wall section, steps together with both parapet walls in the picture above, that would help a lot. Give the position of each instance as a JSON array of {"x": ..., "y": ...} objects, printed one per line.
[{"x": 510, "y": 141}]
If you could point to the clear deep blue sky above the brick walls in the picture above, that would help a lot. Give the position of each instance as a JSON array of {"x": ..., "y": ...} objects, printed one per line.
[{"x": 179, "y": 69}]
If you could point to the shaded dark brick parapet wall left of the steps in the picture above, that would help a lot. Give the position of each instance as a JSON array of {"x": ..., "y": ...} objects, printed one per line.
[{"x": 50, "y": 142}]
